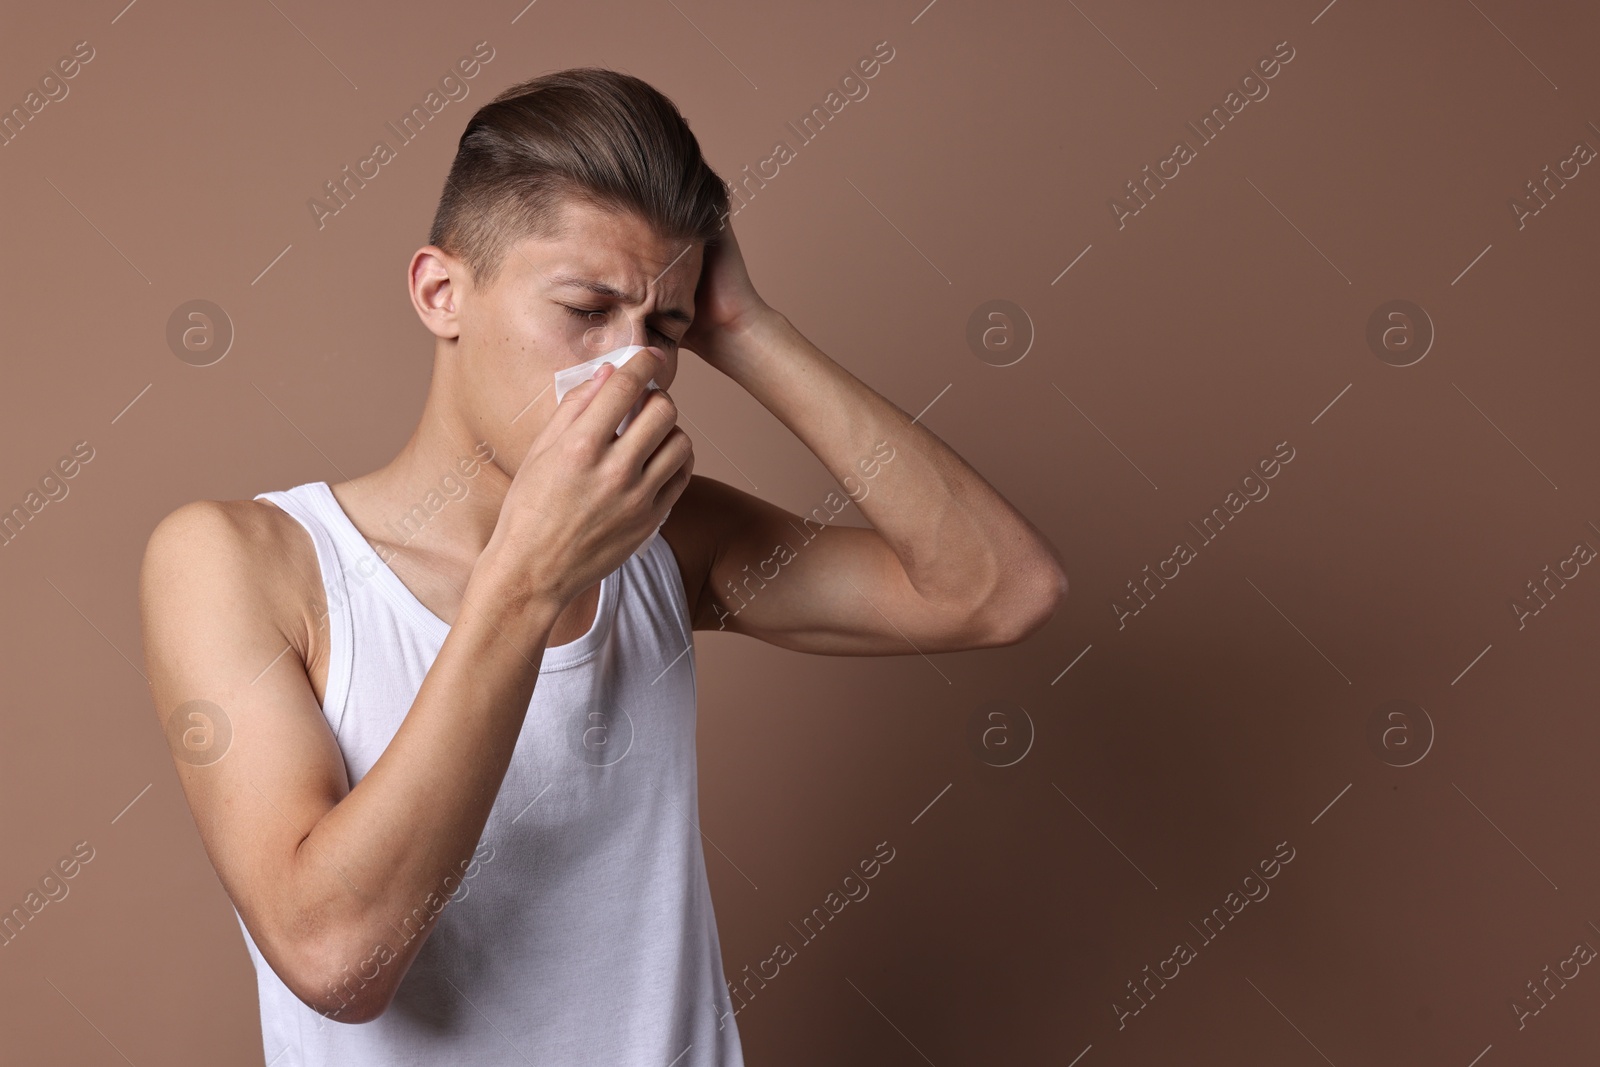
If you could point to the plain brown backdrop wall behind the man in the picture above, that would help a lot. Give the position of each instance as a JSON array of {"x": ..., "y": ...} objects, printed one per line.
[{"x": 1169, "y": 761}]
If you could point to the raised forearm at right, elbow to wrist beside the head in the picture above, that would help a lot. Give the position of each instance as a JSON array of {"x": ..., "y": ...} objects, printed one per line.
[{"x": 954, "y": 535}]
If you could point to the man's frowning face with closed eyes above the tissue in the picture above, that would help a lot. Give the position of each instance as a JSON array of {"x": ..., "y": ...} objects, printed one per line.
[{"x": 609, "y": 281}]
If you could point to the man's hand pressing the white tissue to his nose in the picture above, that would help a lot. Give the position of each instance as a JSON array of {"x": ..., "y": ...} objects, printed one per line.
[{"x": 586, "y": 497}]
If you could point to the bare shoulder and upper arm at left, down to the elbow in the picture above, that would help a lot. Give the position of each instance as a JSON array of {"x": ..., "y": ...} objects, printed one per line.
[{"x": 223, "y": 599}]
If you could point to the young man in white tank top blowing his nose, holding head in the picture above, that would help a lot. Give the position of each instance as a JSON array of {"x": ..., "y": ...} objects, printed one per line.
[{"x": 458, "y": 794}]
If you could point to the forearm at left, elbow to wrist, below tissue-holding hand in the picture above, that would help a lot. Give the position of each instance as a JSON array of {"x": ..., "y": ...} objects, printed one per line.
[{"x": 380, "y": 866}]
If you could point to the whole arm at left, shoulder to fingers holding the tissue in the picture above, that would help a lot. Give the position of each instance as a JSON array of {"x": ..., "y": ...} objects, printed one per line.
[{"x": 340, "y": 887}]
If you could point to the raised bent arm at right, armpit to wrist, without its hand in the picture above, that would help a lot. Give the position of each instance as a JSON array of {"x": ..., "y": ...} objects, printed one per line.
[{"x": 946, "y": 565}]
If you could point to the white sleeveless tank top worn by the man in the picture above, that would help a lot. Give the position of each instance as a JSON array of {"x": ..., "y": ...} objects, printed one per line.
[{"x": 583, "y": 930}]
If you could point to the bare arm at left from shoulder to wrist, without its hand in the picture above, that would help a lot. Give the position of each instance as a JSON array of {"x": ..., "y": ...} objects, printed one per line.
[{"x": 338, "y": 887}]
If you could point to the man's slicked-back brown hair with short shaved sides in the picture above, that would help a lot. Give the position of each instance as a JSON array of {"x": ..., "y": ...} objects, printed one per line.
[{"x": 585, "y": 135}]
